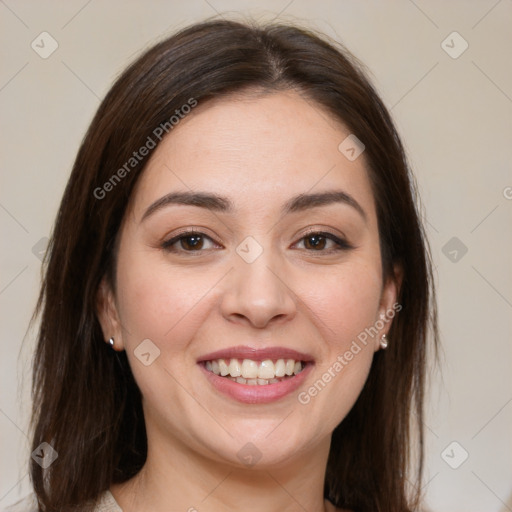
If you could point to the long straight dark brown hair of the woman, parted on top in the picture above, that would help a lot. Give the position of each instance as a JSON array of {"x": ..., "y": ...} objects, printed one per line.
[{"x": 85, "y": 395}]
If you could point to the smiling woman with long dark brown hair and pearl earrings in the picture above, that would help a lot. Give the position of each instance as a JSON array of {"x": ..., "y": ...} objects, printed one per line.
[{"x": 237, "y": 245}]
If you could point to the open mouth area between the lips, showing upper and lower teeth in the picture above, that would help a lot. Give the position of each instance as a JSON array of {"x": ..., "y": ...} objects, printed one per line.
[{"x": 255, "y": 373}]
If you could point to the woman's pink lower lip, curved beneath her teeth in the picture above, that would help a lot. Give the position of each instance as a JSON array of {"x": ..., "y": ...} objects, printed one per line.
[{"x": 257, "y": 394}]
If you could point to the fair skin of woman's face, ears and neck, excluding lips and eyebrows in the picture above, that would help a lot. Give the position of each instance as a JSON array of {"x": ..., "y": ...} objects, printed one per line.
[{"x": 257, "y": 150}]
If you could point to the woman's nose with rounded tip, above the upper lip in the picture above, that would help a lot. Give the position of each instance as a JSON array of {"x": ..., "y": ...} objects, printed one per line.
[{"x": 257, "y": 294}]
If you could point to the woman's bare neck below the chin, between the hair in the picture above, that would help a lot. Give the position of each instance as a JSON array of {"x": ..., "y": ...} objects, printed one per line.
[{"x": 182, "y": 479}]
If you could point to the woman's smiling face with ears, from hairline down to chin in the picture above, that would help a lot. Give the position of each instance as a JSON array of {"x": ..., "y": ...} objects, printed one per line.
[{"x": 278, "y": 276}]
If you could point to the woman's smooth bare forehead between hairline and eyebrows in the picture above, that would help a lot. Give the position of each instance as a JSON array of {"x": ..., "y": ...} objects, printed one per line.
[{"x": 258, "y": 149}]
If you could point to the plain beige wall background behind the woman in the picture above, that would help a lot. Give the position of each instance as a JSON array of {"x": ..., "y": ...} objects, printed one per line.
[{"x": 453, "y": 113}]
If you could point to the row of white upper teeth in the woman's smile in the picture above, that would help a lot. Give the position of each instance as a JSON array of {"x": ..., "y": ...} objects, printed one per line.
[{"x": 250, "y": 369}]
